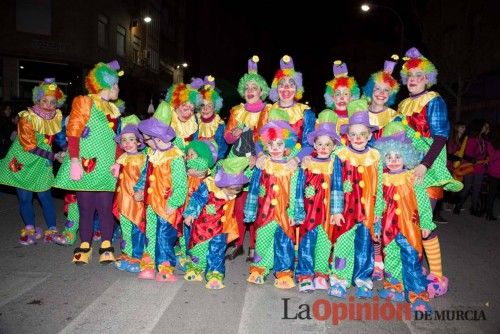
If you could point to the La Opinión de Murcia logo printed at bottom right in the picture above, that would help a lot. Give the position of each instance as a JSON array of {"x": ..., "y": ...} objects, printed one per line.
[{"x": 323, "y": 310}]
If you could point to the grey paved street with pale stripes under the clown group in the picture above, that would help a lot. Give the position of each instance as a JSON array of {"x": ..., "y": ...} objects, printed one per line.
[{"x": 42, "y": 292}]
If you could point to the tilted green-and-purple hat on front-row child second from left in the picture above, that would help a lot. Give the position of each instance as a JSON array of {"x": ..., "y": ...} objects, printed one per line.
[{"x": 157, "y": 126}]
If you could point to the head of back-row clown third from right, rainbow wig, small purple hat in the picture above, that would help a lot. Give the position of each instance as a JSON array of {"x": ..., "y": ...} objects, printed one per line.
[{"x": 341, "y": 90}]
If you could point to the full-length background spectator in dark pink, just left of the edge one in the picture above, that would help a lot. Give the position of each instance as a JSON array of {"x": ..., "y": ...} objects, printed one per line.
[{"x": 475, "y": 152}]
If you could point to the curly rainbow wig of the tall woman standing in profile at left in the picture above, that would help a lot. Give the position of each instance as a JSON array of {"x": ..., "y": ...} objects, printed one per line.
[{"x": 103, "y": 76}]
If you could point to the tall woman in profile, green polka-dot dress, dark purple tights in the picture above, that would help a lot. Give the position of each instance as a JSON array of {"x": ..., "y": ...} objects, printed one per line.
[{"x": 87, "y": 169}]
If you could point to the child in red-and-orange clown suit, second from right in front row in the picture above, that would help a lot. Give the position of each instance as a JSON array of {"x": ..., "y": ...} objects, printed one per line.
[{"x": 352, "y": 261}]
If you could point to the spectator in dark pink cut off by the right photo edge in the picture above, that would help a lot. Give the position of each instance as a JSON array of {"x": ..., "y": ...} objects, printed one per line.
[{"x": 493, "y": 171}]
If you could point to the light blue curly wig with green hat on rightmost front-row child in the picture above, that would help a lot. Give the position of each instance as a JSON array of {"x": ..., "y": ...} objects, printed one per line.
[{"x": 394, "y": 140}]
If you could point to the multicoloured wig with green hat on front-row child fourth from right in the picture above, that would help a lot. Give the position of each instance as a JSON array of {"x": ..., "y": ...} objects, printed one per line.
[{"x": 277, "y": 128}]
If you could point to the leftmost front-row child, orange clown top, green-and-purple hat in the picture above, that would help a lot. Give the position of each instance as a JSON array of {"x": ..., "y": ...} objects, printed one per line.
[{"x": 127, "y": 210}]
